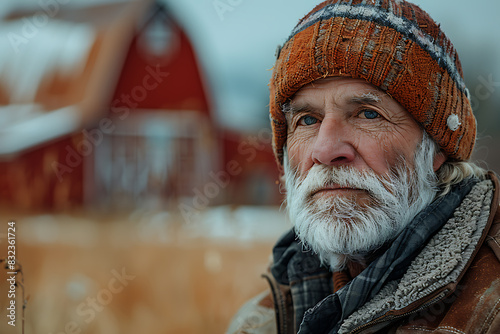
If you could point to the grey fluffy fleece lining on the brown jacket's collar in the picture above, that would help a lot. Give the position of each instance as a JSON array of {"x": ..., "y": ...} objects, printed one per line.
[{"x": 440, "y": 262}]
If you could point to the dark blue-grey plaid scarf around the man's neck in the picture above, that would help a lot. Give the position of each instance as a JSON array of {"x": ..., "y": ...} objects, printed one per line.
[{"x": 316, "y": 309}]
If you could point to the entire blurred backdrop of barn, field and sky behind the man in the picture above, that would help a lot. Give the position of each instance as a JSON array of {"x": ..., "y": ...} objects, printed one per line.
[{"x": 136, "y": 161}]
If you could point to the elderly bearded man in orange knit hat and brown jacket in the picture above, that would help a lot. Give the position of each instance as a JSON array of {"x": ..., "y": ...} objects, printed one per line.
[{"x": 395, "y": 231}]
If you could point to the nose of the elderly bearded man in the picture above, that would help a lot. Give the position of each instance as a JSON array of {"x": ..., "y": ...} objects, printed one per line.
[{"x": 333, "y": 145}]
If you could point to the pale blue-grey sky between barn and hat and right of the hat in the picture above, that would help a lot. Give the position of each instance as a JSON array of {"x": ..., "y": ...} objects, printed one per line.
[{"x": 236, "y": 42}]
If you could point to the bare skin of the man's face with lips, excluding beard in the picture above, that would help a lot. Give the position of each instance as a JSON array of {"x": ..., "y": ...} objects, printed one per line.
[{"x": 348, "y": 122}]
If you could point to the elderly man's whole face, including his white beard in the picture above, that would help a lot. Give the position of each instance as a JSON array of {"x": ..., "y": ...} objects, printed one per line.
[{"x": 357, "y": 167}]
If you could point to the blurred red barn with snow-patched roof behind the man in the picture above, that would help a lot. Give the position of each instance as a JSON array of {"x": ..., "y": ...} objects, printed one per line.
[{"x": 106, "y": 106}]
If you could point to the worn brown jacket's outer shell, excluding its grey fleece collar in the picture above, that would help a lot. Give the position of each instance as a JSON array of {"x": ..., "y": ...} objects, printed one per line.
[{"x": 470, "y": 303}]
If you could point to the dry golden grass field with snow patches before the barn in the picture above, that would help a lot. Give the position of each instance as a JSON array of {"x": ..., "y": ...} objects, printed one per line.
[{"x": 147, "y": 272}]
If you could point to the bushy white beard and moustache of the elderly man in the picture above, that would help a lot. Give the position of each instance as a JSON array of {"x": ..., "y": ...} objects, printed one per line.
[{"x": 338, "y": 228}]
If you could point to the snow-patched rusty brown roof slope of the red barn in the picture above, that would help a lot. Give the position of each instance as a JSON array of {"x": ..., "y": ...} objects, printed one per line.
[{"x": 59, "y": 64}]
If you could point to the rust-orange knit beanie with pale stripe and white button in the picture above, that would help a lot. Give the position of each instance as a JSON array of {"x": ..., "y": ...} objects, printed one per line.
[{"x": 394, "y": 45}]
